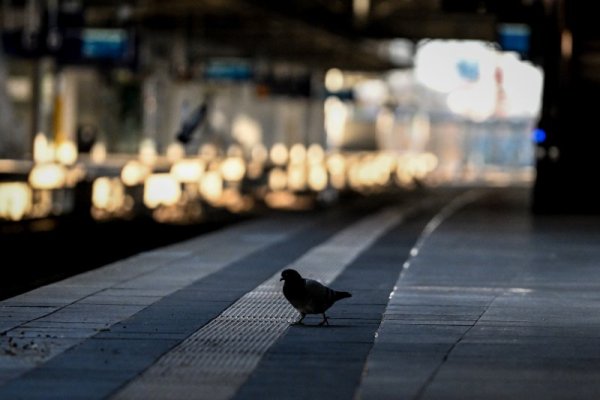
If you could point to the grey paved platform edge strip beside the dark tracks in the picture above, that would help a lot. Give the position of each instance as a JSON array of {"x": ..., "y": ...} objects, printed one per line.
[{"x": 51, "y": 319}]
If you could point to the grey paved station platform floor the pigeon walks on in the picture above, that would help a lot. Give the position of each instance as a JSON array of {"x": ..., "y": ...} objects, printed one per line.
[{"x": 457, "y": 294}]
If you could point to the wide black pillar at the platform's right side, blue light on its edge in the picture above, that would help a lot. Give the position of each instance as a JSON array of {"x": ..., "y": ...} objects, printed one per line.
[{"x": 569, "y": 157}]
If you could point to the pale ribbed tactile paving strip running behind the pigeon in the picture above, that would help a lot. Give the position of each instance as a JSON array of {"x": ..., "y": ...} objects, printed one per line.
[{"x": 215, "y": 360}]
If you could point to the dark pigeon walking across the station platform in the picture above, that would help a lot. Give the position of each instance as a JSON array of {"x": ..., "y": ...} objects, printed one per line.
[{"x": 309, "y": 296}]
